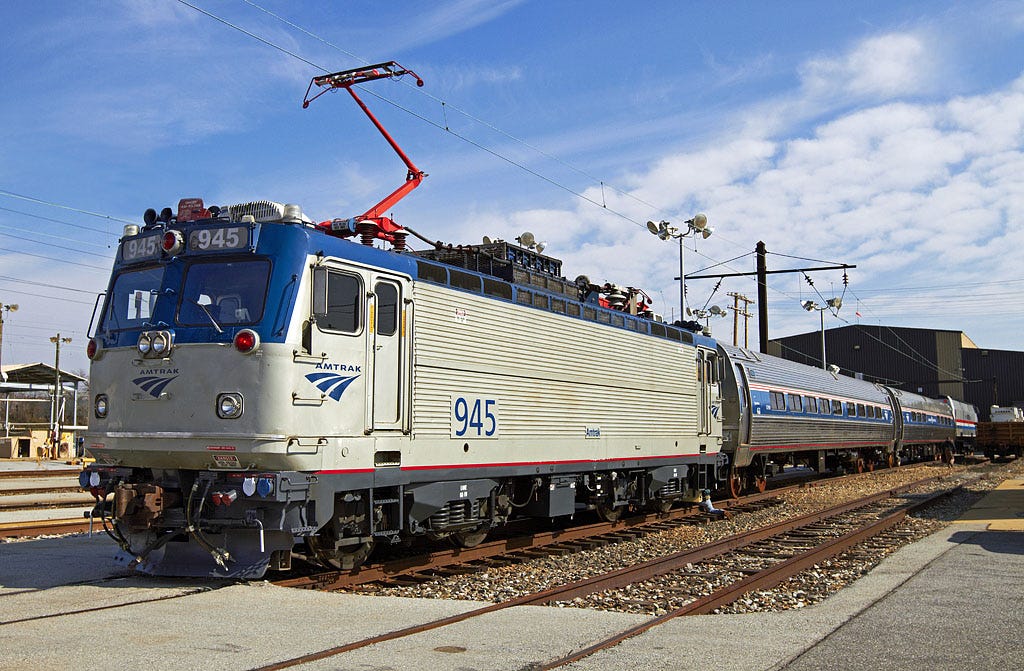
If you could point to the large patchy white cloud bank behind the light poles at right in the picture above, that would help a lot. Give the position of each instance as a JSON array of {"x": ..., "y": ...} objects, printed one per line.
[{"x": 914, "y": 193}]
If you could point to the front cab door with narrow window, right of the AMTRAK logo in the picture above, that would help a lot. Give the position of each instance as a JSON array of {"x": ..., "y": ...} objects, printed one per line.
[{"x": 388, "y": 353}]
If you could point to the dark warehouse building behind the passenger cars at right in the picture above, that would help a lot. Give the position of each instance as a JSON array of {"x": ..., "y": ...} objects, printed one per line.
[{"x": 933, "y": 363}]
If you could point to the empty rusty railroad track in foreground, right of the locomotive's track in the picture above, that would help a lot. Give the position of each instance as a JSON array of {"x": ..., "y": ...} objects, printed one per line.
[{"x": 773, "y": 555}]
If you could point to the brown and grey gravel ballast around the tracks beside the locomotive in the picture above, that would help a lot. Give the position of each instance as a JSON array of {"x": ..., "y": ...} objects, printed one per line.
[{"x": 670, "y": 593}]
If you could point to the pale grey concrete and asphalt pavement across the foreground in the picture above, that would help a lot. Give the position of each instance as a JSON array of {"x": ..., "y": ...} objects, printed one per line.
[{"x": 954, "y": 601}]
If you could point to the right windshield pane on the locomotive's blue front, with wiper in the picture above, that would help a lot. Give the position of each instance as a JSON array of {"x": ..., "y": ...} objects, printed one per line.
[{"x": 224, "y": 293}]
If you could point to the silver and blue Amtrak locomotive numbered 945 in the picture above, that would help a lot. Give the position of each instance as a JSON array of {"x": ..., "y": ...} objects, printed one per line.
[{"x": 261, "y": 387}]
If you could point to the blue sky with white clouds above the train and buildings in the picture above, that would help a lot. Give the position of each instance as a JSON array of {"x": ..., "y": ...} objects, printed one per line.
[{"x": 887, "y": 136}]
